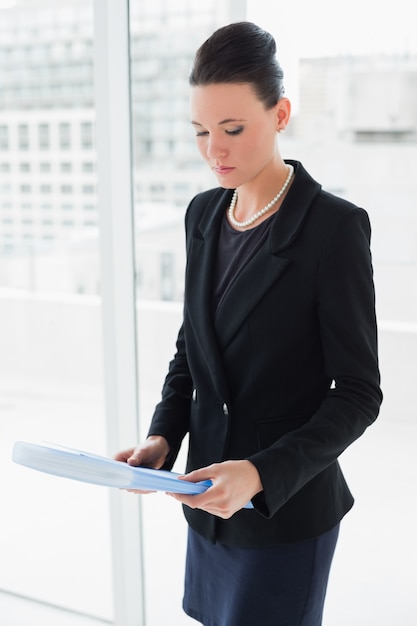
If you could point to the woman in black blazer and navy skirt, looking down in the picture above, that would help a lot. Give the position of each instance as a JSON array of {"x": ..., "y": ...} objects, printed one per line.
[{"x": 276, "y": 368}]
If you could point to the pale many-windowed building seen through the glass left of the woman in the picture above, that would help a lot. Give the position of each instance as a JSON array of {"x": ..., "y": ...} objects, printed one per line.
[{"x": 49, "y": 213}]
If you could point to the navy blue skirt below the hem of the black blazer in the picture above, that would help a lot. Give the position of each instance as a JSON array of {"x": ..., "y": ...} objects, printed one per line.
[{"x": 282, "y": 585}]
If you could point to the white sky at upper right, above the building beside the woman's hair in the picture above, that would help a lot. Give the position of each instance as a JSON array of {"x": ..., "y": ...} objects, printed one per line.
[{"x": 314, "y": 28}]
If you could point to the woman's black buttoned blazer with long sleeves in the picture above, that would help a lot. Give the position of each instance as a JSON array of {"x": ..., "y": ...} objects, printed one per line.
[{"x": 286, "y": 375}]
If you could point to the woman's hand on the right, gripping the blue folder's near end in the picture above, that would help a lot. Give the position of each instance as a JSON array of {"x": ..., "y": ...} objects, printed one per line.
[{"x": 234, "y": 485}]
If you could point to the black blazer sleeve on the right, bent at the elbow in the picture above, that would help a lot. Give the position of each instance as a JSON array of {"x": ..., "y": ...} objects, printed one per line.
[{"x": 347, "y": 322}]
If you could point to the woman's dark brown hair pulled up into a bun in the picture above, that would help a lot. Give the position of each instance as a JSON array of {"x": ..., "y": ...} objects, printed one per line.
[{"x": 240, "y": 53}]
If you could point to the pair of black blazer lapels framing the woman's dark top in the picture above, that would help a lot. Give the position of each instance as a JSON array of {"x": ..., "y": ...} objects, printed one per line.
[{"x": 255, "y": 279}]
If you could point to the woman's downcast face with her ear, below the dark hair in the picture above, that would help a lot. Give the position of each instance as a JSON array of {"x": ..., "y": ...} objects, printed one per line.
[{"x": 235, "y": 134}]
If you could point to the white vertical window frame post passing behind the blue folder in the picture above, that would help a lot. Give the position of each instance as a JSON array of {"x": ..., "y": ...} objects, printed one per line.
[{"x": 113, "y": 132}]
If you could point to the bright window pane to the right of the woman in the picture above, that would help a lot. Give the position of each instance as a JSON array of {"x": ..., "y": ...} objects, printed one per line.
[{"x": 354, "y": 127}]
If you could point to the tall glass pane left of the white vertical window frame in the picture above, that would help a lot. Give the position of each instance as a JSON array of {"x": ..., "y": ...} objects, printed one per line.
[{"x": 54, "y": 534}]
